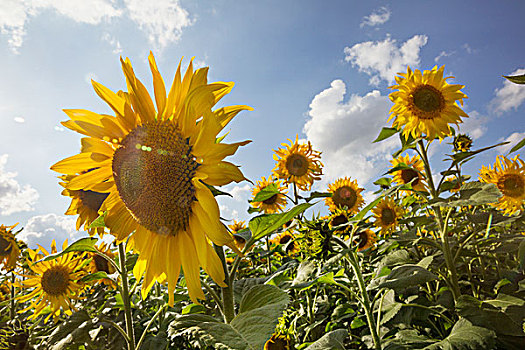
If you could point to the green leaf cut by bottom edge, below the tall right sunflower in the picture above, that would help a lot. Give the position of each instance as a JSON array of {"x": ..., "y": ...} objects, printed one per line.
[{"x": 465, "y": 336}]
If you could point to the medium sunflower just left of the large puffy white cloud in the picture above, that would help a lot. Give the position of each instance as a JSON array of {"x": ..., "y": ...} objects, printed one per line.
[{"x": 298, "y": 164}]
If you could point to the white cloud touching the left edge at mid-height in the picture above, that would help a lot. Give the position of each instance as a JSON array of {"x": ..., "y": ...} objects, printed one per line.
[{"x": 14, "y": 198}]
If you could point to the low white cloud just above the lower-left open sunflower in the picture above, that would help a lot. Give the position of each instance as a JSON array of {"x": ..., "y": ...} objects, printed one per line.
[{"x": 42, "y": 229}]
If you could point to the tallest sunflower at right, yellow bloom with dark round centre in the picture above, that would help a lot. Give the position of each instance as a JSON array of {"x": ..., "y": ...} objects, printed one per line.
[{"x": 425, "y": 103}]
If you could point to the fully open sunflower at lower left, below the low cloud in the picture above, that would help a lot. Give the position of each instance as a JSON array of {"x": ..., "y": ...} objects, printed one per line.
[{"x": 56, "y": 282}]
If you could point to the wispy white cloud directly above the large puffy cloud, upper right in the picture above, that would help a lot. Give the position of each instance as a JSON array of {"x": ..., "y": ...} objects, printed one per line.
[{"x": 382, "y": 60}]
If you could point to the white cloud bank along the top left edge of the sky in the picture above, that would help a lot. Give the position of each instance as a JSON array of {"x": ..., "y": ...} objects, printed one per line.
[{"x": 161, "y": 20}]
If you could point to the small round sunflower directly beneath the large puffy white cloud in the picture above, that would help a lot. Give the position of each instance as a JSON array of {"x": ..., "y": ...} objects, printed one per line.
[{"x": 346, "y": 194}]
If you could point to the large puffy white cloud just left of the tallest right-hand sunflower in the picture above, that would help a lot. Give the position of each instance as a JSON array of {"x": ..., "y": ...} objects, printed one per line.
[{"x": 344, "y": 132}]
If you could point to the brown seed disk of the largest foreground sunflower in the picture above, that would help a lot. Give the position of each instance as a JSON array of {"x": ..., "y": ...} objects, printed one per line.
[{"x": 153, "y": 171}]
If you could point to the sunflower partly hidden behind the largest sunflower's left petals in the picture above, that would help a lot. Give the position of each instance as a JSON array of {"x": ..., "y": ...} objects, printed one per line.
[{"x": 85, "y": 204}]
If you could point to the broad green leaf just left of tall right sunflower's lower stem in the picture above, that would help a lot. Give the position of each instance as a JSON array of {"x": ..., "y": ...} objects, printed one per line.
[{"x": 405, "y": 276}]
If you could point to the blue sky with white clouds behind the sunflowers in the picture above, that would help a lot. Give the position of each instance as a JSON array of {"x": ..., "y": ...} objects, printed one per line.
[{"x": 317, "y": 69}]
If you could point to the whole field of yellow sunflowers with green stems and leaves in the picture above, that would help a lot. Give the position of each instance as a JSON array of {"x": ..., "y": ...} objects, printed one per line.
[{"x": 435, "y": 261}]
